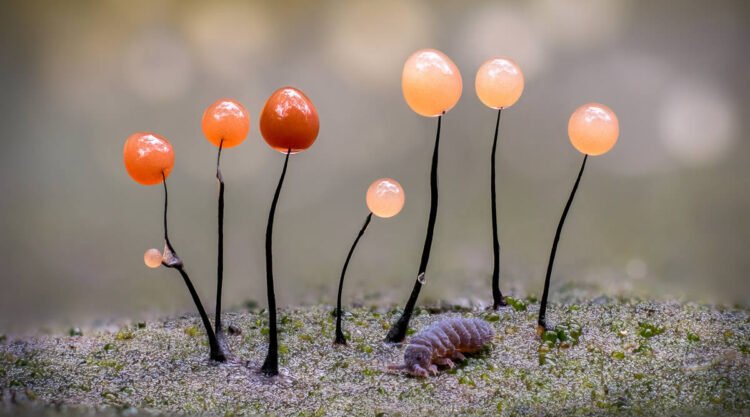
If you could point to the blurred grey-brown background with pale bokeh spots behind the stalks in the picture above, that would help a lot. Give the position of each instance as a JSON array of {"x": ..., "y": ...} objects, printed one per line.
[{"x": 662, "y": 215}]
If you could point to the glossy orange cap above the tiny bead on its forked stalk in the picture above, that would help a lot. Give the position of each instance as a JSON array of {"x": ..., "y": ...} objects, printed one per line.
[{"x": 146, "y": 156}]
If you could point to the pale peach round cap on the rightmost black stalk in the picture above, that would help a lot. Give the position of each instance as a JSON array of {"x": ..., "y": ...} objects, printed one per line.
[{"x": 593, "y": 129}]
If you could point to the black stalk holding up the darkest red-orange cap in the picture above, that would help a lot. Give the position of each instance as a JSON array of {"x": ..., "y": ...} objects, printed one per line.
[{"x": 271, "y": 365}]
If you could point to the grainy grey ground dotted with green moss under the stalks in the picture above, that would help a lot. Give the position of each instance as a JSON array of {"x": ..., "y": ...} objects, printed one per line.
[{"x": 631, "y": 357}]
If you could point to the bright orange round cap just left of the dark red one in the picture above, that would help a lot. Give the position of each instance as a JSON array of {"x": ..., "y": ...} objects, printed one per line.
[{"x": 226, "y": 120}]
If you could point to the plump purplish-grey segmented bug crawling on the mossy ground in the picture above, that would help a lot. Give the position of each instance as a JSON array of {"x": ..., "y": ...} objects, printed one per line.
[{"x": 443, "y": 342}]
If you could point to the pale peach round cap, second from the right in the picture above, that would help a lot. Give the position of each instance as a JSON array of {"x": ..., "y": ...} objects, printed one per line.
[{"x": 499, "y": 83}]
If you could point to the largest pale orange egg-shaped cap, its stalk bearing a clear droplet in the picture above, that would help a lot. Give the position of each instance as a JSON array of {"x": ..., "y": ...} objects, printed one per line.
[{"x": 431, "y": 82}]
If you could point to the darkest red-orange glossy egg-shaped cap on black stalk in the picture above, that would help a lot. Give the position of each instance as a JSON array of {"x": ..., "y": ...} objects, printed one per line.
[{"x": 289, "y": 121}]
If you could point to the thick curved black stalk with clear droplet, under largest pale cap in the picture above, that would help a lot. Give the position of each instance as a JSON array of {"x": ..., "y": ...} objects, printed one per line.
[{"x": 397, "y": 333}]
